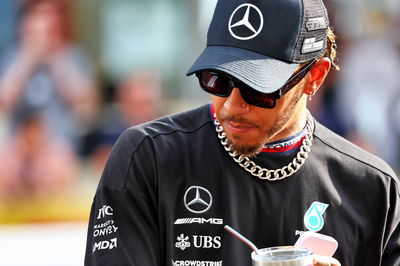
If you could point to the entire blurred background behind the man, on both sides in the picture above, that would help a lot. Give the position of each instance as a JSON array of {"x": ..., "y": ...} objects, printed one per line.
[{"x": 74, "y": 74}]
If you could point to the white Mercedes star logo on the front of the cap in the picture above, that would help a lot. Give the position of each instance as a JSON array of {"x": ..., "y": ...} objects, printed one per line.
[{"x": 252, "y": 19}]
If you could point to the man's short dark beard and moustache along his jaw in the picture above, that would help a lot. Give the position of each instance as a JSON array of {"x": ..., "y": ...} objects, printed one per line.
[{"x": 253, "y": 150}]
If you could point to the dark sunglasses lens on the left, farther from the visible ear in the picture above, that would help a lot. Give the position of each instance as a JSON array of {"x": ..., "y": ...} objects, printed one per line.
[{"x": 215, "y": 84}]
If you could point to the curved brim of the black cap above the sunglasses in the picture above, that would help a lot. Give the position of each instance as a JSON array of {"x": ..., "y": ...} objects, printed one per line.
[{"x": 263, "y": 73}]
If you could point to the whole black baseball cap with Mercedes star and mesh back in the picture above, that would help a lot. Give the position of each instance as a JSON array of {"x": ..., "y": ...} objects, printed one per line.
[{"x": 262, "y": 42}]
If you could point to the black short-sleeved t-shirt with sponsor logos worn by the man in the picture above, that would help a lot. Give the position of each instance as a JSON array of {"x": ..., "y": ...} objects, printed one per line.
[{"x": 169, "y": 187}]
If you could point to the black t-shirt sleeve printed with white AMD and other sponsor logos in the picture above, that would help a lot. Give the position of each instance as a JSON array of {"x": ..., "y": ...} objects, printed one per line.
[{"x": 123, "y": 226}]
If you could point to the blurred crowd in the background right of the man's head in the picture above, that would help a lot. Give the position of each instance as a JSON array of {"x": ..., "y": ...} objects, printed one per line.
[{"x": 361, "y": 102}]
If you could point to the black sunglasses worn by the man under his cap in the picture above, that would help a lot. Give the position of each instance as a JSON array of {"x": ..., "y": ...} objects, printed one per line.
[{"x": 220, "y": 84}]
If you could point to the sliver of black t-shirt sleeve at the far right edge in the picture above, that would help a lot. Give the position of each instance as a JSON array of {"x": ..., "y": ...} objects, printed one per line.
[{"x": 391, "y": 253}]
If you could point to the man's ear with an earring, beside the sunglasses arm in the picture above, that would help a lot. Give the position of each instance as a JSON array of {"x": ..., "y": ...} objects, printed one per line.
[{"x": 317, "y": 75}]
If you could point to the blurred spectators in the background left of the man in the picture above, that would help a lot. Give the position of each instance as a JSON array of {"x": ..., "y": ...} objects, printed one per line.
[{"x": 56, "y": 115}]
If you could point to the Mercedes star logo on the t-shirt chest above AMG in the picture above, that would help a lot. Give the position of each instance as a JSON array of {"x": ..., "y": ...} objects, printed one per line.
[{"x": 197, "y": 199}]
